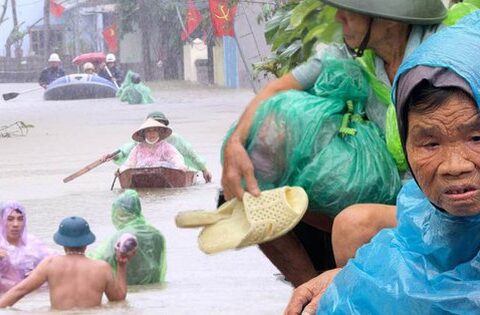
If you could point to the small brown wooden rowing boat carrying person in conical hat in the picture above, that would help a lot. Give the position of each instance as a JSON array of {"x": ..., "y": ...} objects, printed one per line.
[{"x": 156, "y": 177}]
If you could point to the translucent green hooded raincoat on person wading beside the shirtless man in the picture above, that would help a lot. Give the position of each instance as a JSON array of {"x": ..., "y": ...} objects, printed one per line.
[{"x": 149, "y": 264}]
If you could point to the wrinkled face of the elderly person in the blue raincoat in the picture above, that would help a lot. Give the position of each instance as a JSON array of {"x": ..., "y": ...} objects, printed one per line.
[{"x": 443, "y": 148}]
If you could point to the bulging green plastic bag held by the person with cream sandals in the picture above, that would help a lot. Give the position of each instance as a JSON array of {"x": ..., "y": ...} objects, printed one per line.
[{"x": 320, "y": 140}]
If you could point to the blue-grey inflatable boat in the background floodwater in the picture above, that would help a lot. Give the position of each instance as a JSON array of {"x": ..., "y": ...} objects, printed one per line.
[{"x": 79, "y": 86}]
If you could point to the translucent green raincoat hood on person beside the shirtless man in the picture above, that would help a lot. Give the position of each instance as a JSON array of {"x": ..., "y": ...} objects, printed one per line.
[{"x": 127, "y": 210}]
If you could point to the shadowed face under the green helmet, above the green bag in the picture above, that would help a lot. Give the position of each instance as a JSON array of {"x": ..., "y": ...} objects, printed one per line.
[{"x": 354, "y": 26}]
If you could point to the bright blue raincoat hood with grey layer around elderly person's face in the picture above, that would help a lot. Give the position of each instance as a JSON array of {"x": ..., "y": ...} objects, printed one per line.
[{"x": 447, "y": 58}]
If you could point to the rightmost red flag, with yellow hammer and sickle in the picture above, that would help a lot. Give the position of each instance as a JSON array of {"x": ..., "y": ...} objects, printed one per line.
[{"x": 223, "y": 17}]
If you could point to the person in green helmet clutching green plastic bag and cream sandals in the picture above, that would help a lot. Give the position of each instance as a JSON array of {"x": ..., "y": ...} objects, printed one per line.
[{"x": 392, "y": 29}]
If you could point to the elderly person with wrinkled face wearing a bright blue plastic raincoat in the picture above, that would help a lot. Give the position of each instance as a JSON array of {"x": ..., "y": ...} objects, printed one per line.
[{"x": 429, "y": 263}]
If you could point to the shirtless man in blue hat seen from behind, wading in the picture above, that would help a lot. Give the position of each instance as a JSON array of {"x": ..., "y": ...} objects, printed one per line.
[{"x": 74, "y": 280}]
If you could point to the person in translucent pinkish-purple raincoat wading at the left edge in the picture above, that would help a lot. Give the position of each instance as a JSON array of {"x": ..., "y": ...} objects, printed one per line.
[{"x": 20, "y": 252}]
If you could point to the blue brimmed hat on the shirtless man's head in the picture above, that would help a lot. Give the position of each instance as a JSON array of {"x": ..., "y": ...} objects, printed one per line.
[{"x": 74, "y": 232}]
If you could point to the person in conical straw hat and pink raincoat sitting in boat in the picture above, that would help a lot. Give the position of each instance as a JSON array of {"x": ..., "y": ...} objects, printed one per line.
[{"x": 152, "y": 150}]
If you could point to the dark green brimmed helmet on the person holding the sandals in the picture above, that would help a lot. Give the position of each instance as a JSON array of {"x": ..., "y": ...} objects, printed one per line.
[{"x": 410, "y": 11}]
